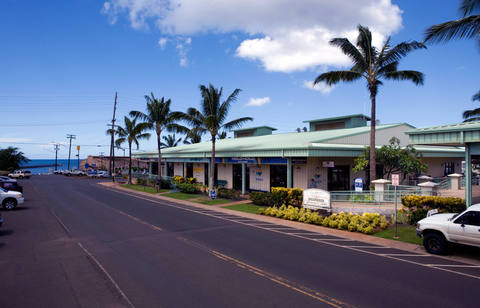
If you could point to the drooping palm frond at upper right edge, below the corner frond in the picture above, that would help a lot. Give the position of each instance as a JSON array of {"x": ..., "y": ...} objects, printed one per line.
[{"x": 467, "y": 27}]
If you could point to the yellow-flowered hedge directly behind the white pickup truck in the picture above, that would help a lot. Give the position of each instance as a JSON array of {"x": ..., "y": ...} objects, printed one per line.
[{"x": 416, "y": 207}]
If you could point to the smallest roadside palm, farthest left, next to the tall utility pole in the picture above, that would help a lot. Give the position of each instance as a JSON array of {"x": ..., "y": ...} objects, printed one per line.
[{"x": 131, "y": 133}]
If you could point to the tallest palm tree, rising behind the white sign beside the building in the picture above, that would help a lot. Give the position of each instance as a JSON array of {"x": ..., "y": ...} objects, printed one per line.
[{"x": 373, "y": 65}]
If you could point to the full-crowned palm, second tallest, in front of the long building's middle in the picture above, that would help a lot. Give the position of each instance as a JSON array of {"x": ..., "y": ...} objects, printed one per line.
[{"x": 212, "y": 118}]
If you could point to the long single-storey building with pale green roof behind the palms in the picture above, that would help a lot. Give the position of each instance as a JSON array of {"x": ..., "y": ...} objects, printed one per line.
[{"x": 322, "y": 157}]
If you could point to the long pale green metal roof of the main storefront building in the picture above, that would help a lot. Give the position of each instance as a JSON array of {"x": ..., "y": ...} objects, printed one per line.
[{"x": 301, "y": 144}]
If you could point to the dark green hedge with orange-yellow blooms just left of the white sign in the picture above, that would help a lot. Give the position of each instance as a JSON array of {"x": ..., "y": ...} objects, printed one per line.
[{"x": 278, "y": 196}]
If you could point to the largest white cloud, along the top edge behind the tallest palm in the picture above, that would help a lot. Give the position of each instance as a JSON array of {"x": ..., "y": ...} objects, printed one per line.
[{"x": 284, "y": 35}]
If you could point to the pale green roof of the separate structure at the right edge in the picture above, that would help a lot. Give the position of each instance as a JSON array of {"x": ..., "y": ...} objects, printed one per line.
[{"x": 454, "y": 134}]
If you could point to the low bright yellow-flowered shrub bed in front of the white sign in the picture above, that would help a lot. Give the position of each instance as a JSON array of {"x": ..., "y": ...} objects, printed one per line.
[{"x": 367, "y": 223}]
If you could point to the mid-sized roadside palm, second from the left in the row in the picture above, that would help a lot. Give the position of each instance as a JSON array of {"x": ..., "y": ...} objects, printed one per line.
[{"x": 159, "y": 117}]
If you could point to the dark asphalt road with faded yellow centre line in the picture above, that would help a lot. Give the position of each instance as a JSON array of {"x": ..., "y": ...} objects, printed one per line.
[{"x": 77, "y": 244}]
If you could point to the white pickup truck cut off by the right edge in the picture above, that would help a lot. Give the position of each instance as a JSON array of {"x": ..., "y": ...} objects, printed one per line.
[{"x": 441, "y": 229}]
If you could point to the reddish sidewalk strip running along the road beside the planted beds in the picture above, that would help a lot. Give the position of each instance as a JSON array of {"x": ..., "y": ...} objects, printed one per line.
[{"x": 302, "y": 226}]
